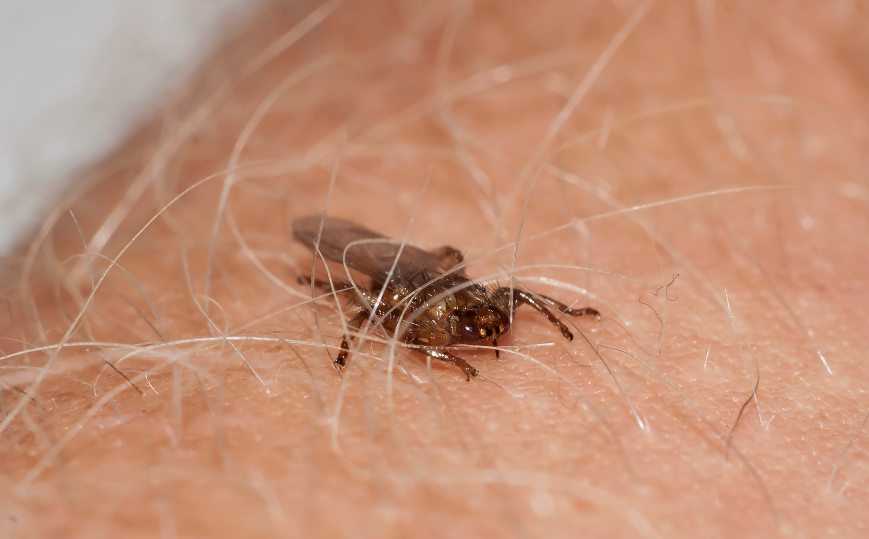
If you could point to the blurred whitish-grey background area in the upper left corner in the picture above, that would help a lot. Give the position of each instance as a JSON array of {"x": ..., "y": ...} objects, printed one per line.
[{"x": 78, "y": 76}]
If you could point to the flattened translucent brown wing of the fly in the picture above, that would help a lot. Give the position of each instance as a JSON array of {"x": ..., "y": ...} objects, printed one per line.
[{"x": 372, "y": 258}]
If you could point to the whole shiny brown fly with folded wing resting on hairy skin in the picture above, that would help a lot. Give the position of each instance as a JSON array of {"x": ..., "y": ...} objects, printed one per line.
[{"x": 452, "y": 308}]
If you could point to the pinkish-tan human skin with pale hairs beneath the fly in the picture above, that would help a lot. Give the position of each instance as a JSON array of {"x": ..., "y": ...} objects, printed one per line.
[{"x": 760, "y": 110}]
